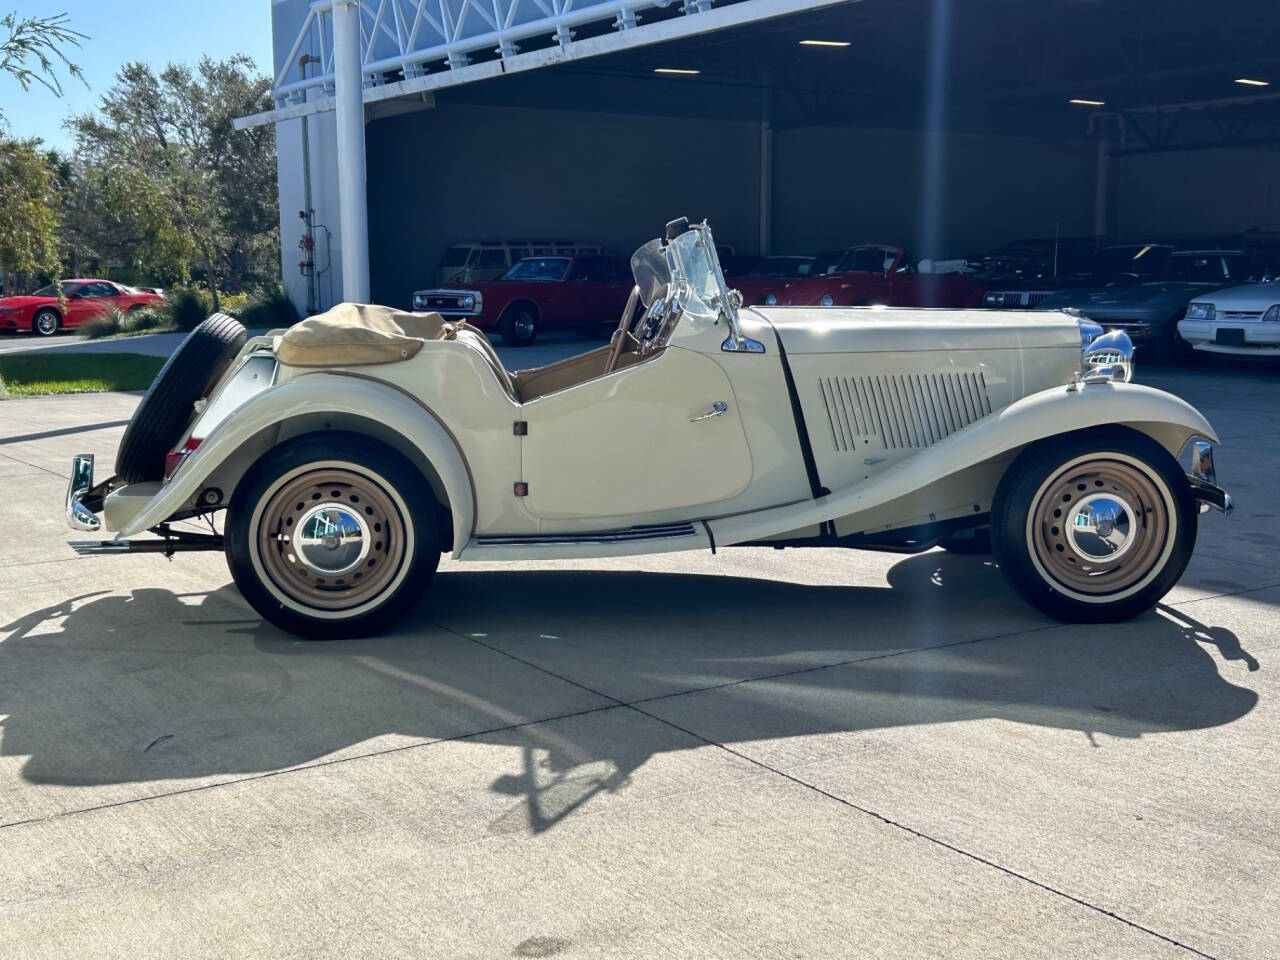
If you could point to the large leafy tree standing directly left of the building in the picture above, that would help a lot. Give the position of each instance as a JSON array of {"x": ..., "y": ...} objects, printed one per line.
[{"x": 182, "y": 188}]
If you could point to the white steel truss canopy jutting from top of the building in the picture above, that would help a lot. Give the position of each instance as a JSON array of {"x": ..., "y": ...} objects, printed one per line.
[{"x": 414, "y": 47}]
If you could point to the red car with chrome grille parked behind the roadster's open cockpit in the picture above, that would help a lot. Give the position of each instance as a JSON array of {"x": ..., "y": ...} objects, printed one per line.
[{"x": 584, "y": 294}]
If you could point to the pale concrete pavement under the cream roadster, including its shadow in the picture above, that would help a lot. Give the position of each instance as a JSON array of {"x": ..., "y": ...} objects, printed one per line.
[{"x": 752, "y": 755}]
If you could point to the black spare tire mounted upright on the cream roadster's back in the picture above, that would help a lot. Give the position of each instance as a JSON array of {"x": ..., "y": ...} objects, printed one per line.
[{"x": 188, "y": 376}]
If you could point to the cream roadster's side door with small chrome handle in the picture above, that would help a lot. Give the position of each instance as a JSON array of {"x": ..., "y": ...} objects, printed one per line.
[{"x": 660, "y": 436}]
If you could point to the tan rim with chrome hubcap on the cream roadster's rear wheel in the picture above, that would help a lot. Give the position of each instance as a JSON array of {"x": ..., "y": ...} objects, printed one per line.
[{"x": 331, "y": 540}]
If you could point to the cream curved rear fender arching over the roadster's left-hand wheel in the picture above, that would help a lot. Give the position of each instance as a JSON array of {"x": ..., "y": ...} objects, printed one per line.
[{"x": 319, "y": 403}]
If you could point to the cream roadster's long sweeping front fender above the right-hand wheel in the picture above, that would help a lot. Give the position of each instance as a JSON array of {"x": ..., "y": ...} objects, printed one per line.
[{"x": 1163, "y": 417}]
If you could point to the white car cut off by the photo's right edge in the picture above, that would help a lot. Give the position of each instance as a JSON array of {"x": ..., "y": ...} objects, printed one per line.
[{"x": 1242, "y": 321}]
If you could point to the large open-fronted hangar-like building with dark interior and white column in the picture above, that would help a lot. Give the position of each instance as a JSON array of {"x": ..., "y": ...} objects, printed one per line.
[{"x": 794, "y": 126}]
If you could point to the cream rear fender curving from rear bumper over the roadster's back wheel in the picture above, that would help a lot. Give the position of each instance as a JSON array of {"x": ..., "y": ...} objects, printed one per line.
[{"x": 319, "y": 395}]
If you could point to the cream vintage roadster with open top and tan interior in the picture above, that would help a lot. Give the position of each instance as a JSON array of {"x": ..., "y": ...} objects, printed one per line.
[{"x": 348, "y": 454}]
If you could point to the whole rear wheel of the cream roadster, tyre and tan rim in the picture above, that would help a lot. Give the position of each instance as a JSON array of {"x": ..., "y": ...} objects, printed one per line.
[{"x": 332, "y": 536}]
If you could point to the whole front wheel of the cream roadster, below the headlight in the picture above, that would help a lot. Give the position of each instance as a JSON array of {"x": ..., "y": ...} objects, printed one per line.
[{"x": 1094, "y": 527}]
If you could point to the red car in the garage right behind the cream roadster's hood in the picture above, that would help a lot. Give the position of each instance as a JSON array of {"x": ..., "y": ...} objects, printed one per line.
[{"x": 877, "y": 273}]
